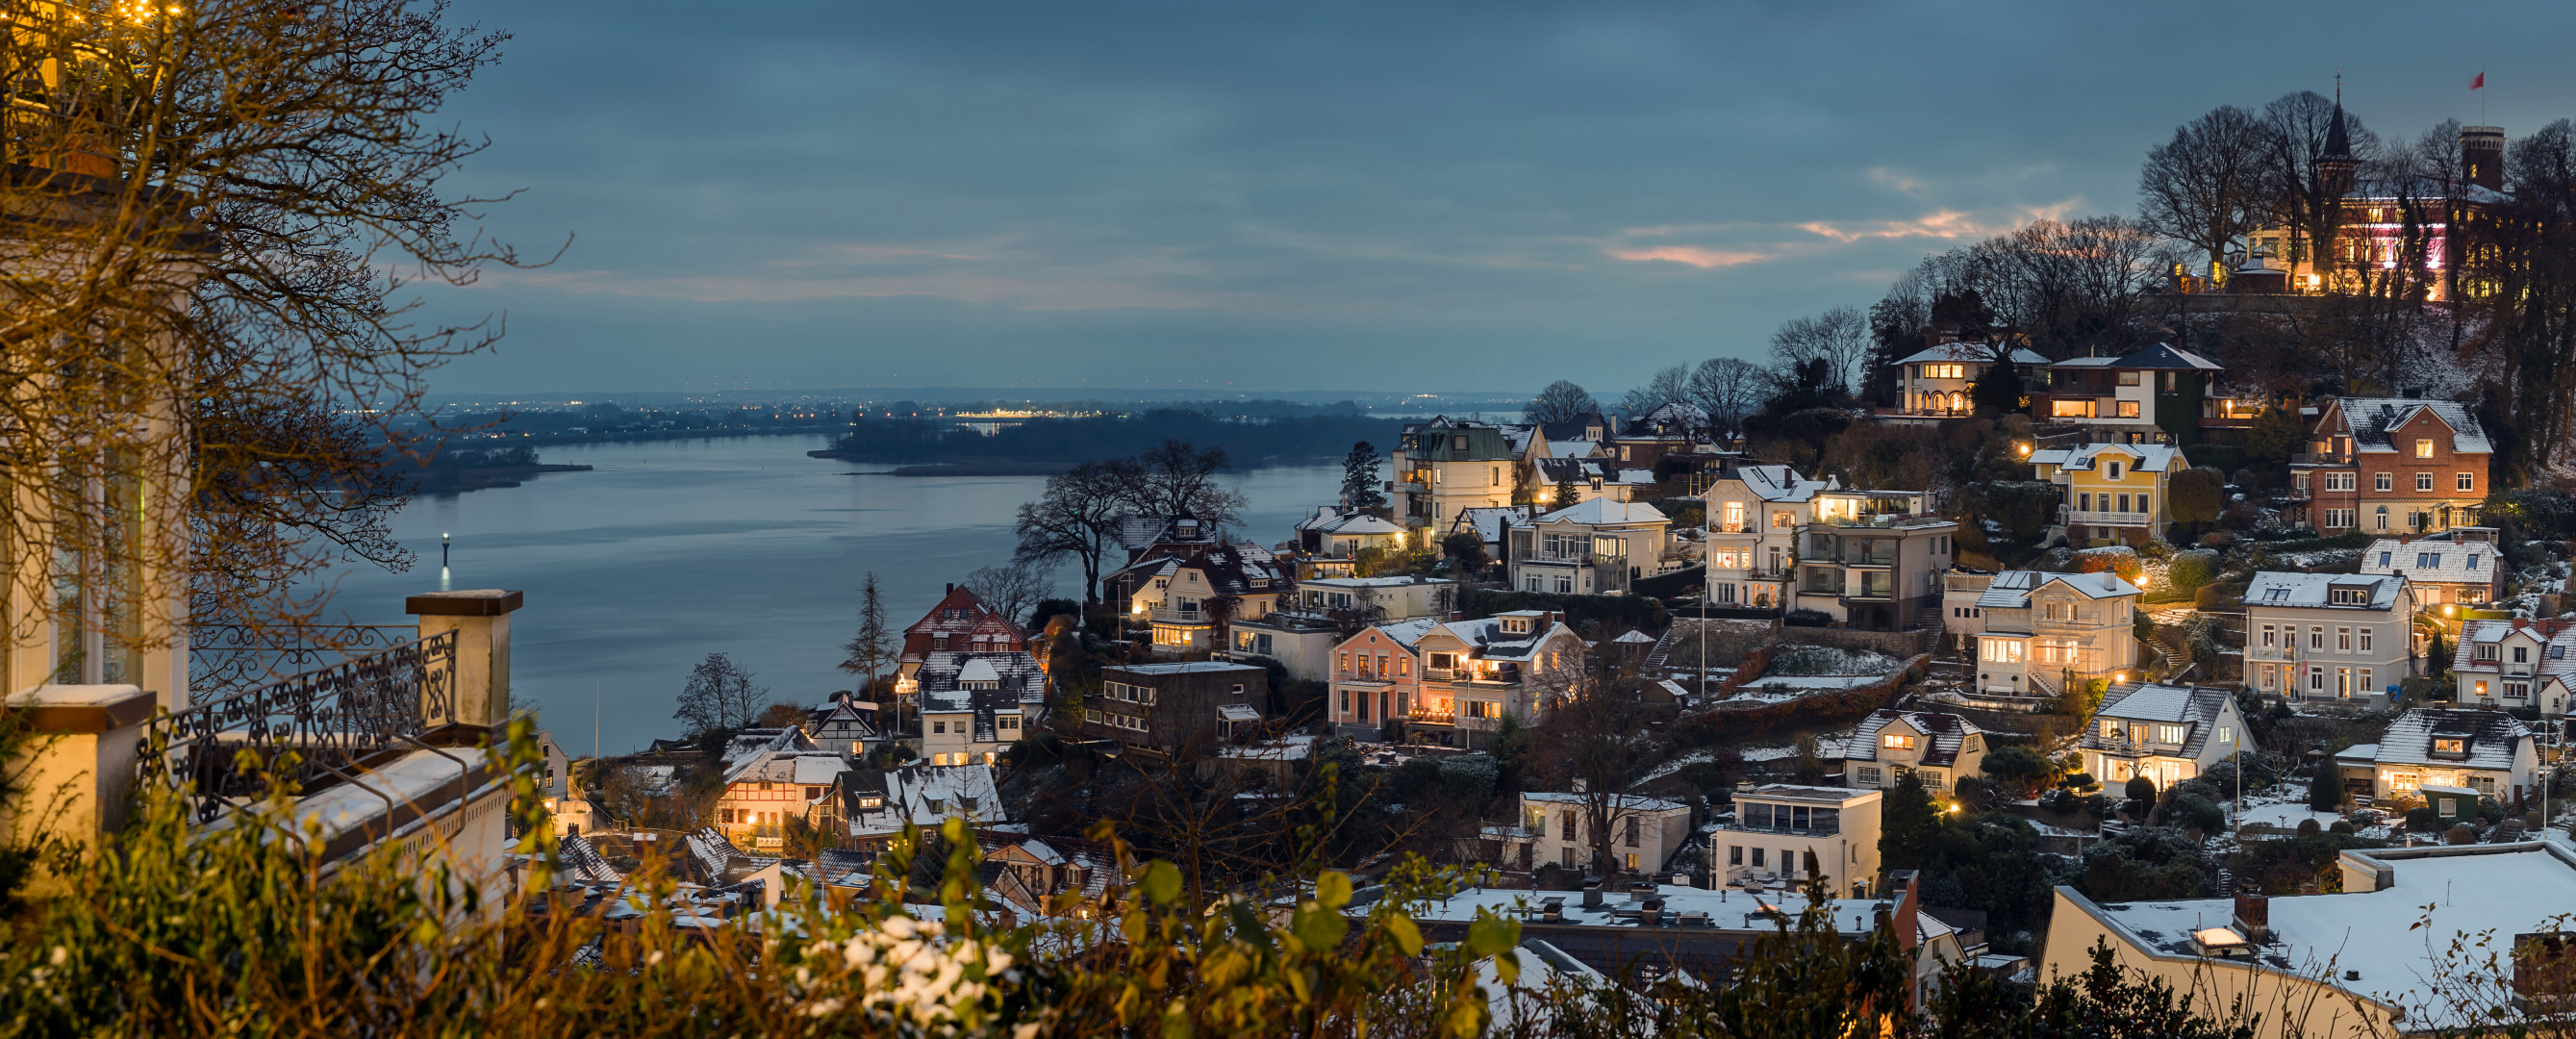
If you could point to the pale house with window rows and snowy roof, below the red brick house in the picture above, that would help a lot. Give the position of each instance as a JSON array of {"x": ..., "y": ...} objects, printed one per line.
[{"x": 2330, "y": 638}]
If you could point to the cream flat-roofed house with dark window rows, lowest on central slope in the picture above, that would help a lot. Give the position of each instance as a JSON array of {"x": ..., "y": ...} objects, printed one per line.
[{"x": 1779, "y": 826}]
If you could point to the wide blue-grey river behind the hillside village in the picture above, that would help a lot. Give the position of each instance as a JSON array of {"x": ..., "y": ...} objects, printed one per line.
[{"x": 676, "y": 550}]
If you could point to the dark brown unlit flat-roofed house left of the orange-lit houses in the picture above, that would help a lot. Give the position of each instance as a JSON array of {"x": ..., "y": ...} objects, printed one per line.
[{"x": 1176, "y": 710}]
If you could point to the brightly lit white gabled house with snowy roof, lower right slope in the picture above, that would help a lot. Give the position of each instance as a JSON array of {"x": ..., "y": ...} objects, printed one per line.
[{"x": 2165, "y": 733}]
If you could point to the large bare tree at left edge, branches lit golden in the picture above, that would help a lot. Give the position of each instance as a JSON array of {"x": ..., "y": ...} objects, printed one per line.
[{"x": 218, "y": 213}]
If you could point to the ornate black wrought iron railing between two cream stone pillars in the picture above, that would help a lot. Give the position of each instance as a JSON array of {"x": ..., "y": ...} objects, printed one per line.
[{"x": 310, "y": 731}]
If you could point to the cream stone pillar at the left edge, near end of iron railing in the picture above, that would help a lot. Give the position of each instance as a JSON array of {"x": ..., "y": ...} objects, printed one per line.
[{"x": 79, "y": 770}]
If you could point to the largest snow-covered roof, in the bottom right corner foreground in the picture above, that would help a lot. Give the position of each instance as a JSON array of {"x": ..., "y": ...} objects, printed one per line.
[{"x": 2430, "y": 901}]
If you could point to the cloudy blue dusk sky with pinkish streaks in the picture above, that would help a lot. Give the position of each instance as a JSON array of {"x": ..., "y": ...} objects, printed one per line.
[{"x": 1243, "y": 197}]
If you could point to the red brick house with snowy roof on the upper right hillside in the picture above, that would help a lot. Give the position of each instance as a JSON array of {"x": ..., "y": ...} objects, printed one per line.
[{"x": 2394, "y": 465}]
